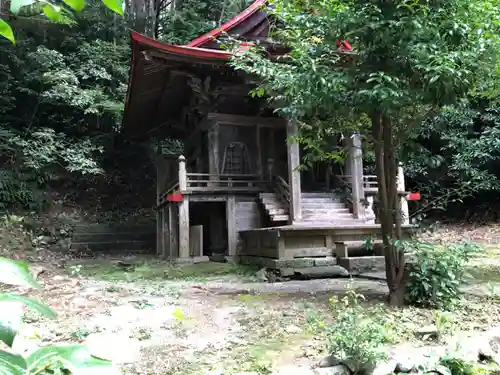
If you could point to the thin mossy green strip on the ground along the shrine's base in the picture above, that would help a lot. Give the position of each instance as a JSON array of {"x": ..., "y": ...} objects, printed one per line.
[{"x": 157, "y": 270}]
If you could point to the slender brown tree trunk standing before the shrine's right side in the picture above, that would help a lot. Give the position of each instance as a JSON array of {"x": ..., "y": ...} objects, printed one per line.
[{"x": 389, "y": 210}]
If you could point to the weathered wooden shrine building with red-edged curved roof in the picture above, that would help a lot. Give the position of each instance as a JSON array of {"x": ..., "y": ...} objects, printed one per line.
[{"x": 236, "y": 188}]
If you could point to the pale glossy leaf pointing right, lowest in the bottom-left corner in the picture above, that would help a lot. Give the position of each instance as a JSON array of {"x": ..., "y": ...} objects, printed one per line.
[{"x": 72, "y": 357}]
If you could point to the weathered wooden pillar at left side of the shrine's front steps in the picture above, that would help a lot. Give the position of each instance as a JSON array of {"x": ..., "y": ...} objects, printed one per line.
[{"x": 293, "y": 172}]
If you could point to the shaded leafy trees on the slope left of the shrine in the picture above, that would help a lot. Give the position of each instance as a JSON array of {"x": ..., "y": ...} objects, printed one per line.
[{"x": 62, "y": 92}]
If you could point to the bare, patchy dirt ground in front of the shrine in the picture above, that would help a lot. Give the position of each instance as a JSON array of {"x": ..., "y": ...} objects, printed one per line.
[{"x": 153, "y": 318}]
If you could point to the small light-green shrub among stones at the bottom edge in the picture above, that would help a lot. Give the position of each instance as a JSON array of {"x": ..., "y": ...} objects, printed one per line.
[{"x": 355, "y": 338}]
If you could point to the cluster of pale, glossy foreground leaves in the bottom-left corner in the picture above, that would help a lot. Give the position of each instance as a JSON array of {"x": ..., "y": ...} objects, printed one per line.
[{"x": 64, "y": 359}]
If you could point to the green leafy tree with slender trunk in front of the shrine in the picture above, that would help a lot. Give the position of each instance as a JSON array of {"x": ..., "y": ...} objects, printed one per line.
[{"x": 410, "y": 59}]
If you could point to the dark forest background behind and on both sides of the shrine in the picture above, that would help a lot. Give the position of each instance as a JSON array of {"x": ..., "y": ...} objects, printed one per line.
[{"x": 62, "y": 93}]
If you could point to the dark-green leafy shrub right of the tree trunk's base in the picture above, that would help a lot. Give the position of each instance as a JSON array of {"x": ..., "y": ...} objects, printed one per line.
[{"x": 439, "y": 271}]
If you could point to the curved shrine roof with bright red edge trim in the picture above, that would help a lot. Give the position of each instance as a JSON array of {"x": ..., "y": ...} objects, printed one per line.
[{"x": 154, "y": 97}]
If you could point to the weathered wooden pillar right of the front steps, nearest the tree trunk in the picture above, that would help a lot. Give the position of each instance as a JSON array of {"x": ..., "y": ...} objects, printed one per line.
[{"x": 356, "y": 175}]
